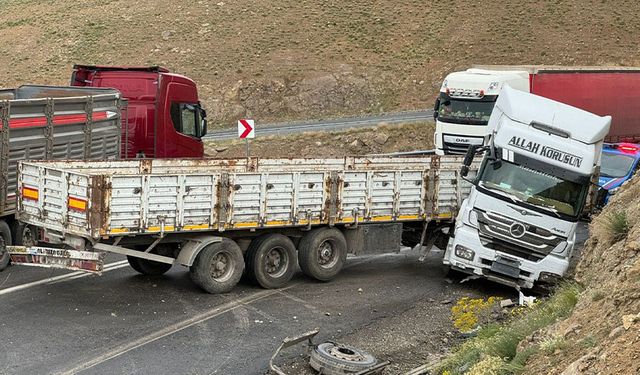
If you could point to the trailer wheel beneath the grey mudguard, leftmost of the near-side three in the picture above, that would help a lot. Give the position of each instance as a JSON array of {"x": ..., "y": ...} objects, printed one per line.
[{"x": 218, "y": 267}]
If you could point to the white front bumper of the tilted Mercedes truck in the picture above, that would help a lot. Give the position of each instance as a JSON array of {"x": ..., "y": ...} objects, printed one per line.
[{"x": 500, "y": 267}]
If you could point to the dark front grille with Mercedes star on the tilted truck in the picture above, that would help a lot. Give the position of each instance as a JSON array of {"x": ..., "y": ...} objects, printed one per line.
[{"x": 501, "y": 233}]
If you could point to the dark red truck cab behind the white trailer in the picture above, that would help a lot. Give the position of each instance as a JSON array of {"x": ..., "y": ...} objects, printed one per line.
[{"x": 164, "y": 116}]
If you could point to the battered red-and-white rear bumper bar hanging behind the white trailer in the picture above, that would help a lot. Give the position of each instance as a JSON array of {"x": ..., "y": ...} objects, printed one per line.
[{"x": 38, "y": 256}]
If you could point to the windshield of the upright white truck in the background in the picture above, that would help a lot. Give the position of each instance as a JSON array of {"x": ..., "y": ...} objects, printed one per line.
[{"x": 465, "y": 111}]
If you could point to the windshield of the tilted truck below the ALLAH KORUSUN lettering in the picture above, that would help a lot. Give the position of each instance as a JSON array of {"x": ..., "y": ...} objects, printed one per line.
[{"x": 534, "y": 188}]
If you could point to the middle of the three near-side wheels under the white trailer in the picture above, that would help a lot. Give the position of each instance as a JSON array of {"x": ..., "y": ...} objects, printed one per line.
[{"x": 270, "y": 260}]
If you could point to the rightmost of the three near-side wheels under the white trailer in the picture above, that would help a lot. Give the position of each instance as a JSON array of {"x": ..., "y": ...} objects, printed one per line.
[{"x": 322, "y": 253}]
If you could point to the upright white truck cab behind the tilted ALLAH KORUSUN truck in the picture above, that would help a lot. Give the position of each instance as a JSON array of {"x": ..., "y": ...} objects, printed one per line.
[{"x": 464, "y": 105}]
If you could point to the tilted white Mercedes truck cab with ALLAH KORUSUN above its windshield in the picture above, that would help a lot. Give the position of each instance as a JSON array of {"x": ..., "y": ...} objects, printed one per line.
[{"x": 518, "y": 224}]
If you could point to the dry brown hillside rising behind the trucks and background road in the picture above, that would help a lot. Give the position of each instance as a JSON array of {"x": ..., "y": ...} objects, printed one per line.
[{"x": 285, "y": 59}]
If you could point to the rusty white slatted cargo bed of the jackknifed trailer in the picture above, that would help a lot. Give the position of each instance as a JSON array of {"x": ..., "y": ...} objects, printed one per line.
[{"x": 166, "y": 196}]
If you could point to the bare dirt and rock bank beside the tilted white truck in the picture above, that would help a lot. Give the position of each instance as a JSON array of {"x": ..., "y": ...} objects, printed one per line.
[{"x": 602, "y": 336}]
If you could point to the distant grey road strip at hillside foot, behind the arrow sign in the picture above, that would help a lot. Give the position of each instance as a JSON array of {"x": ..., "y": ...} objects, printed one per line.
[{"x": 325, "y": 125}]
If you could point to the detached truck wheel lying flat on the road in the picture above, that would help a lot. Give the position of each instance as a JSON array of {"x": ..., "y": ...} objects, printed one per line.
[{"x": 336, "y": 359}]
